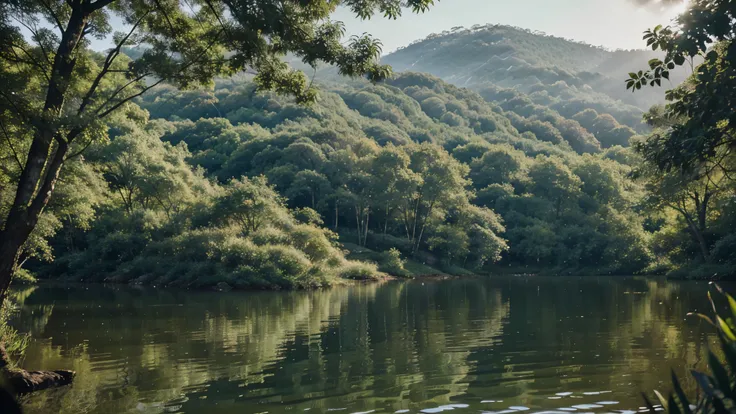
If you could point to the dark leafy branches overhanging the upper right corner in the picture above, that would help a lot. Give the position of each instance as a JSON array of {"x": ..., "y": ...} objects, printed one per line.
[{"x": 706, "y": 101}]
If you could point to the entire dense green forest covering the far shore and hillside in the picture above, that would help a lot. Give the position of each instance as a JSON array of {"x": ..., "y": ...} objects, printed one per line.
[{"x": 233, "y": 187}]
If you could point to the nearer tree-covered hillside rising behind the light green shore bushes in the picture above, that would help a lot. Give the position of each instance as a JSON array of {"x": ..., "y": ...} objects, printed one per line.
[{"x": 356, "y": 155}]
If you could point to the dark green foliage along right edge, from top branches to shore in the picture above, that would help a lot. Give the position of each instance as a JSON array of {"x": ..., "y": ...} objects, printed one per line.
[{"x": 687, "y": 162}]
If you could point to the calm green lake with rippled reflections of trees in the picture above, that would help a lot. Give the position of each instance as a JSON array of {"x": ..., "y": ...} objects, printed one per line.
[{"x": 503, "y": 344}]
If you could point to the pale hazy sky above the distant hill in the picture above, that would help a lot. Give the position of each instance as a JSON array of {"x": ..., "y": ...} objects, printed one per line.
[{"x": 609, "y": 23}]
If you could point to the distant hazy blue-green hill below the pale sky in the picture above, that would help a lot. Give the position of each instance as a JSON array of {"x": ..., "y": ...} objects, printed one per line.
[{"x": 561, "y": 74}]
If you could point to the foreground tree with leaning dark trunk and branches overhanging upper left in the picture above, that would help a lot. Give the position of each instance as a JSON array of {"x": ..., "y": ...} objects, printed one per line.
[{"x": 57, "y": 92}]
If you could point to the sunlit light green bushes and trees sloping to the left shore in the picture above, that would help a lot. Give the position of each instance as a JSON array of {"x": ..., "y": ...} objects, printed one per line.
[{"x": 166, "y": 224}]
